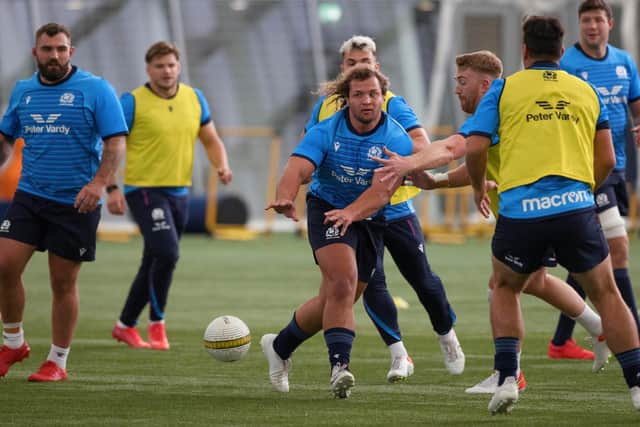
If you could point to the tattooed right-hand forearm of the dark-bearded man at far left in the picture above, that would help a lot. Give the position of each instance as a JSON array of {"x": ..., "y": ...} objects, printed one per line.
[{"x": 112, "y": 153}]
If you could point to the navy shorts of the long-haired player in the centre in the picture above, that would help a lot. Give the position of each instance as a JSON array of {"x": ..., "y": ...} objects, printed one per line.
[{"x": 363, "y": 236}]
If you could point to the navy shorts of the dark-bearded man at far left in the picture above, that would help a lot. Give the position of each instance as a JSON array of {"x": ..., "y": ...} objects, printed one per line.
[{"x": 51, "y": 226}]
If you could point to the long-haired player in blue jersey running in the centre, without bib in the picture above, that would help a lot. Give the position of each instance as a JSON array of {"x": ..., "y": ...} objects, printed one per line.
[{"x": 337, "y": 157}]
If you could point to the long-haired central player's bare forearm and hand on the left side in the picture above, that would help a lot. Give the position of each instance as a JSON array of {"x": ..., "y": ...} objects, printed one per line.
[{"x": 297, "y": 172}]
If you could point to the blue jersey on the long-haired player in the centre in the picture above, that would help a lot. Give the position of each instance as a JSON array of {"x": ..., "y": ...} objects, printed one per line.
[{"x": 342, "y": 158}]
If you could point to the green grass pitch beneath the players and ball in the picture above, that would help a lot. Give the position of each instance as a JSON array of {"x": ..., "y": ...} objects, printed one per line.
[{"x": 262, "y": 282}]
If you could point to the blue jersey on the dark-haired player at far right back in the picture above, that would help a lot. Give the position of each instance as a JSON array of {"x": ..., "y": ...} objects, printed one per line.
[{"x": 615, "y": 77}]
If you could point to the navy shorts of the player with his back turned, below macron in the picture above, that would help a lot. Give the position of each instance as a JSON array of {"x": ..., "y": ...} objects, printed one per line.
[{"x": 575, "y": 237}]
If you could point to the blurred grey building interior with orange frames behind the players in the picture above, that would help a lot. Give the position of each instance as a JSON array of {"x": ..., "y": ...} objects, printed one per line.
[{"x": 258, "y": 63}]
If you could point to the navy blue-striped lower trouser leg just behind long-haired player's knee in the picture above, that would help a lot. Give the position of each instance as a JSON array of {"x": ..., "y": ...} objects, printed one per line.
[{"x": 380, "y": 307}]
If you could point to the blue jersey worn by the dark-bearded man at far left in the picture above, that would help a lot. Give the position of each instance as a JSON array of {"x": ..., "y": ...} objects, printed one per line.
[{"x": 63, "y": 126}]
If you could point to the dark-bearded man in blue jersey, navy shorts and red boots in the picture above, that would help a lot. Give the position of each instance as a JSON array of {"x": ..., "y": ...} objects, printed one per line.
[{"x": 73, "y": 128}]
